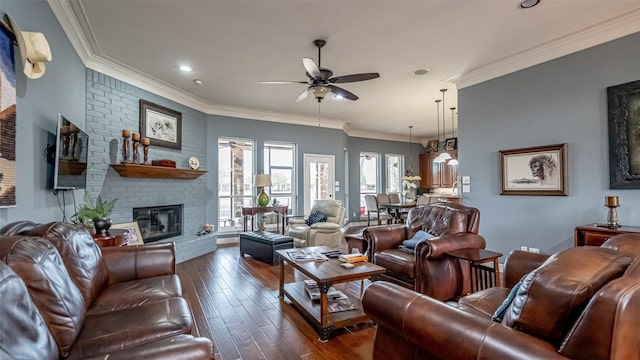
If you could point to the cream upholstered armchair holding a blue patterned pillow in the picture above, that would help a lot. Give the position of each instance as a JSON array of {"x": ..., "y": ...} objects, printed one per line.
[{"x": 325, "y": 233}]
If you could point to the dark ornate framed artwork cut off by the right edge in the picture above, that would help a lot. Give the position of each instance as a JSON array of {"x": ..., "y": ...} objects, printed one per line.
[{"x": 623, "y": 102}]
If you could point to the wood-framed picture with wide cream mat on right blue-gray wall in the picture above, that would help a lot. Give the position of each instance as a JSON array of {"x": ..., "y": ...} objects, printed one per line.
[{"x": 539, "y": 170}]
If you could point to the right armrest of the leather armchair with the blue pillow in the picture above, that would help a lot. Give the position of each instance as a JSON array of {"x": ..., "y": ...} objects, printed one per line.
[{"x": 437, "y": 247}]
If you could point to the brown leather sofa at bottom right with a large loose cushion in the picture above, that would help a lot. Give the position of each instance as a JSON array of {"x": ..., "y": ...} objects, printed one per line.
[{"x": 580, "y": 303}]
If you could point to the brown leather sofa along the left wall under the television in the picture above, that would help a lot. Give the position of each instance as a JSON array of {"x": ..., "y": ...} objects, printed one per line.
[{"x": 64, "y": 297}]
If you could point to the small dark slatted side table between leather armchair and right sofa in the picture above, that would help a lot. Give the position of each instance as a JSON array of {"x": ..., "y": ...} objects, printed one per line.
[{"x": 482, "y": 277}]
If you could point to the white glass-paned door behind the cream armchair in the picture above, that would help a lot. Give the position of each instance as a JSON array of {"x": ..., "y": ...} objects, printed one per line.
[{"x": 319, "y": 178}]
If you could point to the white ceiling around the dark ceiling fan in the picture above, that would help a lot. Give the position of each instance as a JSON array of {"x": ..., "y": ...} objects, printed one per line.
[{"x": 231, "y": 45}]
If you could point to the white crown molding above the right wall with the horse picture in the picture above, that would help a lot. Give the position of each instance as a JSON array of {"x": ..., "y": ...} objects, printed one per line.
[{"x": 613, "y": 28}]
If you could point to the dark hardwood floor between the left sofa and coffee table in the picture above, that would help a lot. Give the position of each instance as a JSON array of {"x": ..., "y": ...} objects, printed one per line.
[{"x": 235, "y": 303}]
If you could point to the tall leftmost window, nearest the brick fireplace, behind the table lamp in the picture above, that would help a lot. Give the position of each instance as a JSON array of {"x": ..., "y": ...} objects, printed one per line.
[{"x": 235, "y": 180}]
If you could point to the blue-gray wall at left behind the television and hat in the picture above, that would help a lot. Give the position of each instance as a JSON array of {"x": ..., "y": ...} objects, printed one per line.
[{"x": 60, "y": 91}]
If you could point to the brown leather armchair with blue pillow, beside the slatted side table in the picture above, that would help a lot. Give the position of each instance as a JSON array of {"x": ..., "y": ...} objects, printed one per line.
[{"x": 429, "y": 270}]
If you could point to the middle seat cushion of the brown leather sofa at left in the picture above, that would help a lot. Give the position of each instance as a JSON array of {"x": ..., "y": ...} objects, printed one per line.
[{"x": 118, "y": 330}]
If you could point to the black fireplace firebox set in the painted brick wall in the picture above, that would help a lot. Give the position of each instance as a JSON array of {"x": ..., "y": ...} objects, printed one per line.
[{"x": 159, "y": 222}]
